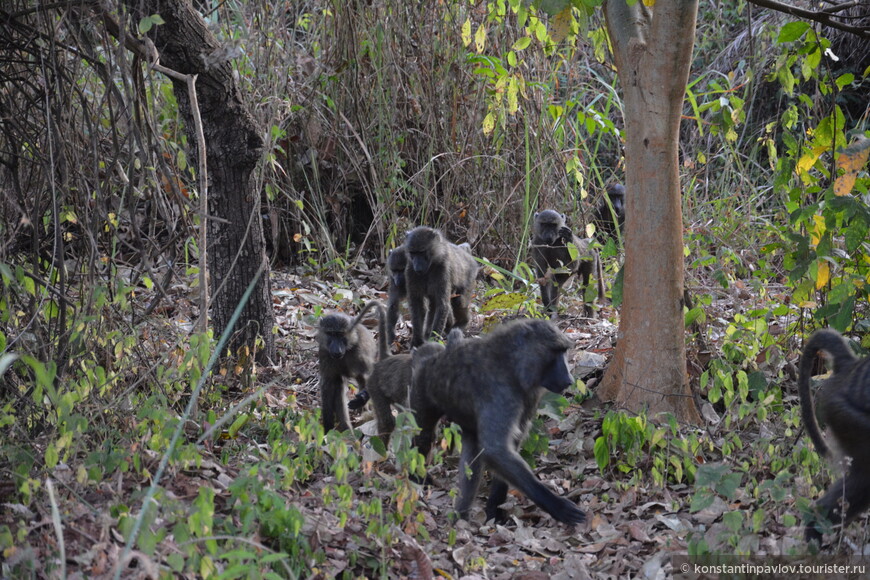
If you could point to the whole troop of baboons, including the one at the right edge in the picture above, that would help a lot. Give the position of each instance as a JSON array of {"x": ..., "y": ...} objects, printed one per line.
[{"x": 491, "y": 386}]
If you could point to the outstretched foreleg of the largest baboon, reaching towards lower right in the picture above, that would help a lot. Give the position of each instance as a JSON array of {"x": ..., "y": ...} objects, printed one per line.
[{"x": 509, "y": 466}]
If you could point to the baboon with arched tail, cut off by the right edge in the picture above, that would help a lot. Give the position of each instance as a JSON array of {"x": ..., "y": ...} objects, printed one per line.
[{"x": 843, "y": 404}]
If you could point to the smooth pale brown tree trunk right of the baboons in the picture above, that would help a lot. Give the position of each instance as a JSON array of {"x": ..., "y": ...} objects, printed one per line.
[{"x": 653, "y": 50}]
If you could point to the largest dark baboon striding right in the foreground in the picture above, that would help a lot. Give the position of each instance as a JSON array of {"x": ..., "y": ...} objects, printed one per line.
[{"x": 491, "y": 387}]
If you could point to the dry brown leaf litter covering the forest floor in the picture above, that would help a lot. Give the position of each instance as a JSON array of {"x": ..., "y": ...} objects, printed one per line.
[{"x": 634, "y": 528}]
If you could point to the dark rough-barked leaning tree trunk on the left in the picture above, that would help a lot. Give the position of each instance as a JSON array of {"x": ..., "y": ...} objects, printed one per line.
[{"x": 233, "y": 145}]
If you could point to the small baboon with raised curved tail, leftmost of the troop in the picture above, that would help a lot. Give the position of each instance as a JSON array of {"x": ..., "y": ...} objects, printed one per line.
[{"x": 345, "y": 350}]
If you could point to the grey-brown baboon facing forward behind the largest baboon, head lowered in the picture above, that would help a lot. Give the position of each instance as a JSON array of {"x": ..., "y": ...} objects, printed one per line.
[{"x": 440, "y": 279}]
